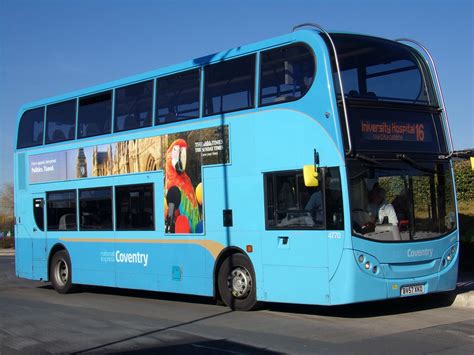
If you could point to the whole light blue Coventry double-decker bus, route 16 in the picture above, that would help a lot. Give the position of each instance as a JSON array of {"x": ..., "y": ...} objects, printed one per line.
[{"x": 310, "y": 168}]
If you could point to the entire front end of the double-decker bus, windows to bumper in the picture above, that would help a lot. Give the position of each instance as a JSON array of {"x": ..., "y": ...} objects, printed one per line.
[{"x": 402, "y": 201}]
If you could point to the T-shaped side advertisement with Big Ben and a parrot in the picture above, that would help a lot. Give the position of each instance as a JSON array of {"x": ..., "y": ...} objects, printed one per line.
[{"x": 180, "y": 155}]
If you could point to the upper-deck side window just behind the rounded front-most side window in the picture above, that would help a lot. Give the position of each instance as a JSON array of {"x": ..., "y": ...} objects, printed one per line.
[{"x": 230, "y": 85}]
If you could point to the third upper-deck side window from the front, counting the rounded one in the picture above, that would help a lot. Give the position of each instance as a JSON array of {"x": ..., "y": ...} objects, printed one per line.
[{"x": 177, "y": 97}]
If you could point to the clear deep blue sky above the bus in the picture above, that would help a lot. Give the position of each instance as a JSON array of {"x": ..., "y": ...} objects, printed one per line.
[{"x": 48, "y": 48}]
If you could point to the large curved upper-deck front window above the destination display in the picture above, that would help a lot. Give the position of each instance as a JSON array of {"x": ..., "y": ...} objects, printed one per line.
[{"x": 381, "y": 70}]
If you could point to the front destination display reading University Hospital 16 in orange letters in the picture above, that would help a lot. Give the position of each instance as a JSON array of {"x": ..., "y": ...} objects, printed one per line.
[{"x": 394, "y": 130}]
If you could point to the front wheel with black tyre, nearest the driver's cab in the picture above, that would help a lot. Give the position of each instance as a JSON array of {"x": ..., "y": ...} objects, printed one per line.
[{"x": 236, "y": 283}]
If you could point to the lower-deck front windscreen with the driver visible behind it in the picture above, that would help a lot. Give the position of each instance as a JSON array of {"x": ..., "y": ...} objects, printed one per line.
[{"x": 396, "y": 201}]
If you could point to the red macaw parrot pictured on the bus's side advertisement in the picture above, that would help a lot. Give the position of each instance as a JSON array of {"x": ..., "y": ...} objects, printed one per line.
[{"x": 182, "y": 215}]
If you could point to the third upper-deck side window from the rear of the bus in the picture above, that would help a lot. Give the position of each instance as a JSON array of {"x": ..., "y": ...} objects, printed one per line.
[{"x": 95, "y": 114}]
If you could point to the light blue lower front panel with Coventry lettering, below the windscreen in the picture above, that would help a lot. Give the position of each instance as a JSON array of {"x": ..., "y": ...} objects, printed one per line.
[{"x": 395, "y": 269}]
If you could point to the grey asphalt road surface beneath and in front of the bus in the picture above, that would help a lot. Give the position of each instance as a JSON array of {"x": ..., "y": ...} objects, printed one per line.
[{"x": 34, "y": 318}]
